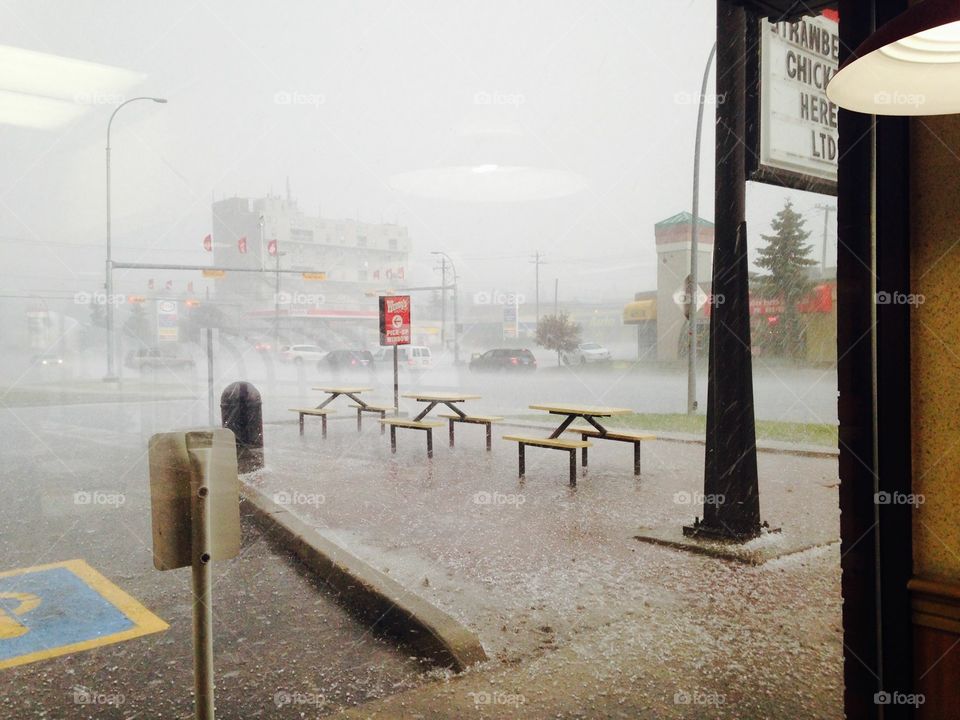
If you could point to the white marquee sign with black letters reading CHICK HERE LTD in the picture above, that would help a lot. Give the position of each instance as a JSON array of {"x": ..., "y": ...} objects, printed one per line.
[{"x": 794, "y": 139}]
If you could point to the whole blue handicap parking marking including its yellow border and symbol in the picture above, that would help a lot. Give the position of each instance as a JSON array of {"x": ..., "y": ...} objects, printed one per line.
[{"x": 65, "y": 607}]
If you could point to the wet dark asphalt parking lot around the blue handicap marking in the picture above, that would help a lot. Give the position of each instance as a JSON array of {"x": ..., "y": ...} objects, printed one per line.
[{"x": 283, "y": 647}]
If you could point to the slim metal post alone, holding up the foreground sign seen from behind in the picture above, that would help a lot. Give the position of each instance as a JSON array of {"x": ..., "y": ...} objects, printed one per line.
[{"x": 202, "y": 605}]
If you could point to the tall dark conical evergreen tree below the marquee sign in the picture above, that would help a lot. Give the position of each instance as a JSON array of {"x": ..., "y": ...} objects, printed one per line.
[{"x": 786, "y": 260}]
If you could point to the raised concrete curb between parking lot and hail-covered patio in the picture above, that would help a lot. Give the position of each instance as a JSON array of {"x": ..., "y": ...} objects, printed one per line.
[{"x": 368, "y": 592}]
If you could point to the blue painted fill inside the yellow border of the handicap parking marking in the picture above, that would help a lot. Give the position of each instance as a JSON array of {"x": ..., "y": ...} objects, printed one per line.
[{"x": 70, "y": 612}]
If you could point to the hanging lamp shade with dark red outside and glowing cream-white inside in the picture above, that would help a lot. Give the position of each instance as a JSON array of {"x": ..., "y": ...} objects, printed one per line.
[{"x": 910, "y": 66}]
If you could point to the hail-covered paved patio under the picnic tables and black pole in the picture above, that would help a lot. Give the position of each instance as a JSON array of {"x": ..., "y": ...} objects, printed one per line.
[{"x": 576, "y": 613}]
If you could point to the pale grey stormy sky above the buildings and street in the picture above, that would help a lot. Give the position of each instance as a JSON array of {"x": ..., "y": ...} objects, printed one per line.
[{"x": 605, "y": 89}]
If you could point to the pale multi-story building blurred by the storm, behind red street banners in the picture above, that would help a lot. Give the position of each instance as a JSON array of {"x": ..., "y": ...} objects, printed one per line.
[{"x": 355, "y": 260}]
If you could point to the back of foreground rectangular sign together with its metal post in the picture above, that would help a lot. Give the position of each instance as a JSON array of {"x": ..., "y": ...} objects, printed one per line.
[{"x": 195, "y": 508}]
